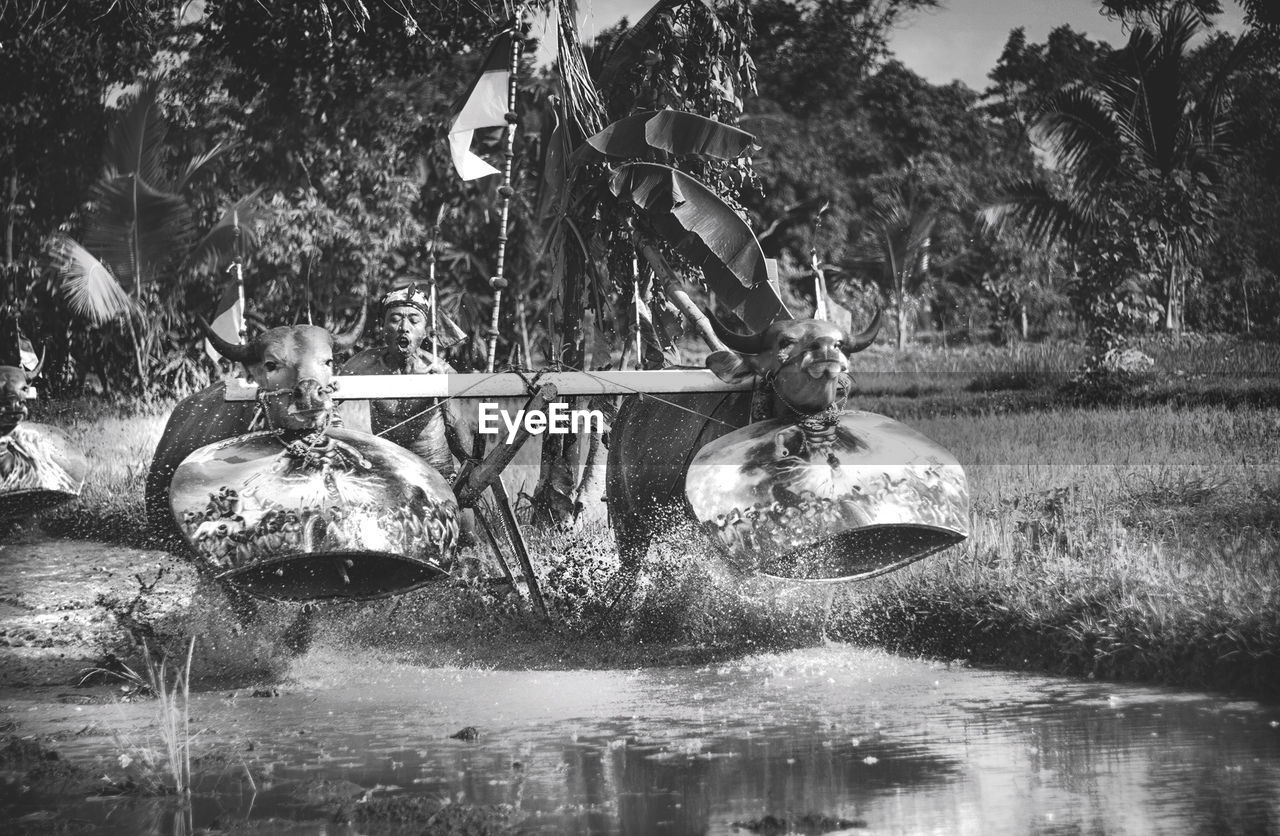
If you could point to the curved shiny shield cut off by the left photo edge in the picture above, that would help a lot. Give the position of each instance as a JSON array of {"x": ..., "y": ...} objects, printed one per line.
[{"x": 39, "y": 469}]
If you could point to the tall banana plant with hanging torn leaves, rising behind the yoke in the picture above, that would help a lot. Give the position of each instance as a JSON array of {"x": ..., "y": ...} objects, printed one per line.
[{"x": 621, "y": 177}]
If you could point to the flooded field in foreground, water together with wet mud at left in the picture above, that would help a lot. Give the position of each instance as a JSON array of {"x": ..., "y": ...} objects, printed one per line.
[{"x": 825, "y": 739}]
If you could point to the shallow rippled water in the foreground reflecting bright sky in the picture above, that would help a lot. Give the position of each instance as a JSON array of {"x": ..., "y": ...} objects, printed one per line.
[{"x": 900, "y": 747}]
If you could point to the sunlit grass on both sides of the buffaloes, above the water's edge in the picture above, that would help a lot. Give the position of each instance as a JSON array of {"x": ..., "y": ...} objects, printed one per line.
[{"x": 1121, "y": 537}]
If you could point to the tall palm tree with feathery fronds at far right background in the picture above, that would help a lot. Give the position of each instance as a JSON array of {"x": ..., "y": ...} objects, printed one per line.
[{"x": 1144, "y": 141}]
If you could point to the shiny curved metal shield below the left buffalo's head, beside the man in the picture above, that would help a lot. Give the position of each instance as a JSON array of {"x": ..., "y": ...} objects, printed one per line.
[{"x": 349, "y": 517}]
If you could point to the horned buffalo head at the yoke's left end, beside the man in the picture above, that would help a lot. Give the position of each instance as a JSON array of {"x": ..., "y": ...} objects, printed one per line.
[{"x": 294, "y": 367}]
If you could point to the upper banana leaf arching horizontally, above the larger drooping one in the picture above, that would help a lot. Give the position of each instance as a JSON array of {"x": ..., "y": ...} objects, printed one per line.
[{"x": 669, "y": 131}]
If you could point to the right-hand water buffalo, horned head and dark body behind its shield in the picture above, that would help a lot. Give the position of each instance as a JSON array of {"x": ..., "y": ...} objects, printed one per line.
[{"x": 804, "y": 368}]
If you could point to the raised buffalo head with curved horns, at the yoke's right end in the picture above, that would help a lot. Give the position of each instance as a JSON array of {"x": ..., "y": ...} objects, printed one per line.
[{"x": 806, "y": 359}]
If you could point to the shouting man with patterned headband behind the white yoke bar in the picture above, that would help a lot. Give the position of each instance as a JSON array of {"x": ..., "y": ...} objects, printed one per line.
[{"x": 413, "y": 423}]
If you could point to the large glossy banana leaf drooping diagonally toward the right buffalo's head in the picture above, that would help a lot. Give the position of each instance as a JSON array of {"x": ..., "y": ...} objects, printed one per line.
[{"x": 708, "y": 234}]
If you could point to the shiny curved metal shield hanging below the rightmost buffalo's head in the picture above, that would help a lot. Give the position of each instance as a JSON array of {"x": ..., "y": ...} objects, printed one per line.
[{"x": 857, "y": 497}]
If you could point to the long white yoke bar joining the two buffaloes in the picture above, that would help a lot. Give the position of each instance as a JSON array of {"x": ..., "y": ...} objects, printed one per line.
[{"x": 509, "y": 385}]
